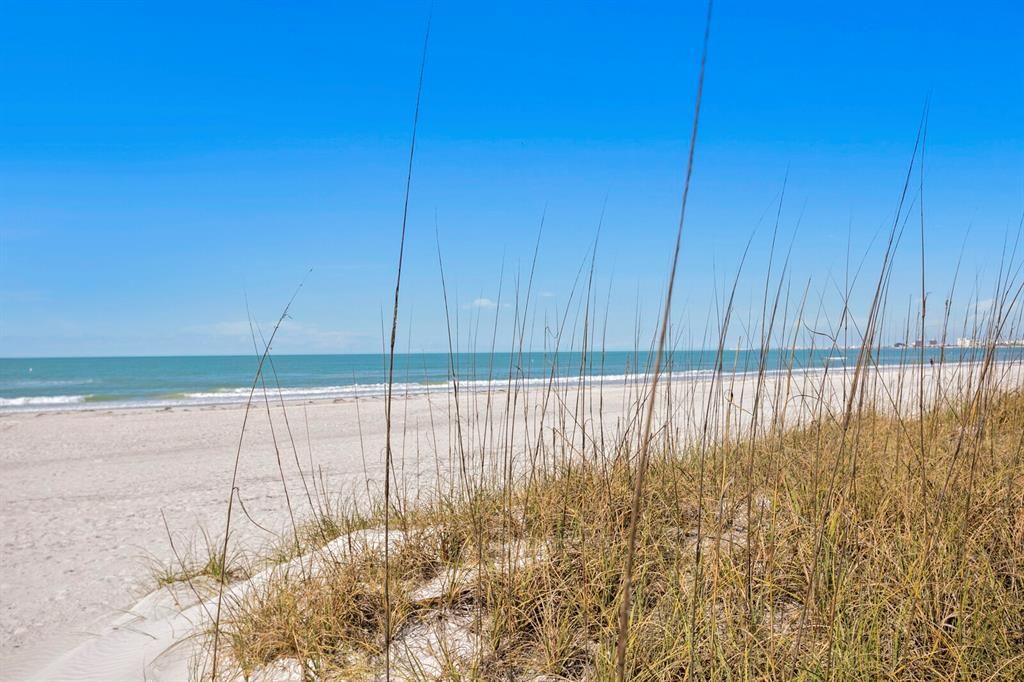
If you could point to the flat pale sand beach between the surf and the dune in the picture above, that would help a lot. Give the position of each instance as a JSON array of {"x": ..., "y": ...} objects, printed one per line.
[{"x": 82, "y": 493}]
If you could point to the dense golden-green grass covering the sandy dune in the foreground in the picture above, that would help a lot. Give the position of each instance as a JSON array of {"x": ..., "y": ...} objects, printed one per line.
[{"x": 914, "y": 580}]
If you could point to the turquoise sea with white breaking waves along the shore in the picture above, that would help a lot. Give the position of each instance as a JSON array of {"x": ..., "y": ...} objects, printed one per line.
[{"x": 62, "y": 383}]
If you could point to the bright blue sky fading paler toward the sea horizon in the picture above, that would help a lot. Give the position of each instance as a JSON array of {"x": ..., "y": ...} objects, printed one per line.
[{"x": 161, "y": 162}]
